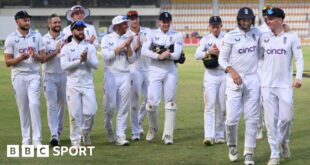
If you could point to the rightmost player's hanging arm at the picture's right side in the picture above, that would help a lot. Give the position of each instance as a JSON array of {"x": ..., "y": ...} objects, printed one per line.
[{"x": 299, "y": 61}]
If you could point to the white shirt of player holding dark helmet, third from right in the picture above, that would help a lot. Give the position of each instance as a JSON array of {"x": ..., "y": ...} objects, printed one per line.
[{"x": 206, "y": 43}]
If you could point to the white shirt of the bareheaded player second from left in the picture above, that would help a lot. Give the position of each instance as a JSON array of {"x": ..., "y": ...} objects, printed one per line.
[{"x": 53, "y": 65}]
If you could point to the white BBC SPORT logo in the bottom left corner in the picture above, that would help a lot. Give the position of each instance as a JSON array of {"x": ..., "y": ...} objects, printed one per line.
[{"x": 16, "y": 151}]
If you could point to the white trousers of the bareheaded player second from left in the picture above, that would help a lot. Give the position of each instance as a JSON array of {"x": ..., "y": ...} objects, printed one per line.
[{"x": 54, "y": 87}]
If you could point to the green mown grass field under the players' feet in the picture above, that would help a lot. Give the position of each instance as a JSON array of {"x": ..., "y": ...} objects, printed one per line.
[{"x": 188, "y": 137}]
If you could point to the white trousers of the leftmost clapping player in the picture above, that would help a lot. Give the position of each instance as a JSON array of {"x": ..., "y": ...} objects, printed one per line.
[{"x": 27, "y": 94}]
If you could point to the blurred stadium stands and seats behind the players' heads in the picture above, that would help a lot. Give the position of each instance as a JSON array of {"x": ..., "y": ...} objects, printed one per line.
[{"x": 189, "y": 16}]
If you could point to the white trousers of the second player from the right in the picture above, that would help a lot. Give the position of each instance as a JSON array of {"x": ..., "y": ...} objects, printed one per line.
[{"x": 245, "y": 99}]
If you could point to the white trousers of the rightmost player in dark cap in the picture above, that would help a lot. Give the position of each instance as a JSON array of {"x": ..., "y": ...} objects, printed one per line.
[{"x": 279, "y": 113}]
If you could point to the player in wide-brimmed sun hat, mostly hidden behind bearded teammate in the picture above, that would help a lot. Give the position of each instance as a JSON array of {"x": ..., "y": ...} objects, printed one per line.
[{"x": 76, "y": 13}]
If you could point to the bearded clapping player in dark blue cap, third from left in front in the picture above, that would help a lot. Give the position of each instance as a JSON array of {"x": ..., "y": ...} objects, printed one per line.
[{"x": 79, "y": 59}]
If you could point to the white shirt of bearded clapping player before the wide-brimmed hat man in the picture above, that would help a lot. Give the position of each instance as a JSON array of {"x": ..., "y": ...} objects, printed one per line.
[{"x": 79, "y": 74}]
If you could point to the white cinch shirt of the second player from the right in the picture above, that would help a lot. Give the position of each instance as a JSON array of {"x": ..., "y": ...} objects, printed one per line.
[{"x": 240, "y": 51}]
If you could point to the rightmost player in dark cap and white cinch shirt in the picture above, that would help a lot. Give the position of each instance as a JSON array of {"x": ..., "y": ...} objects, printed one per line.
[{"x": 279, "y": 48}]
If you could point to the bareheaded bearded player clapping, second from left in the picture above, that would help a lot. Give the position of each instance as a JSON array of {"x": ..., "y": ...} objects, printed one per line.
[{"x": 54, "y": 78}]
